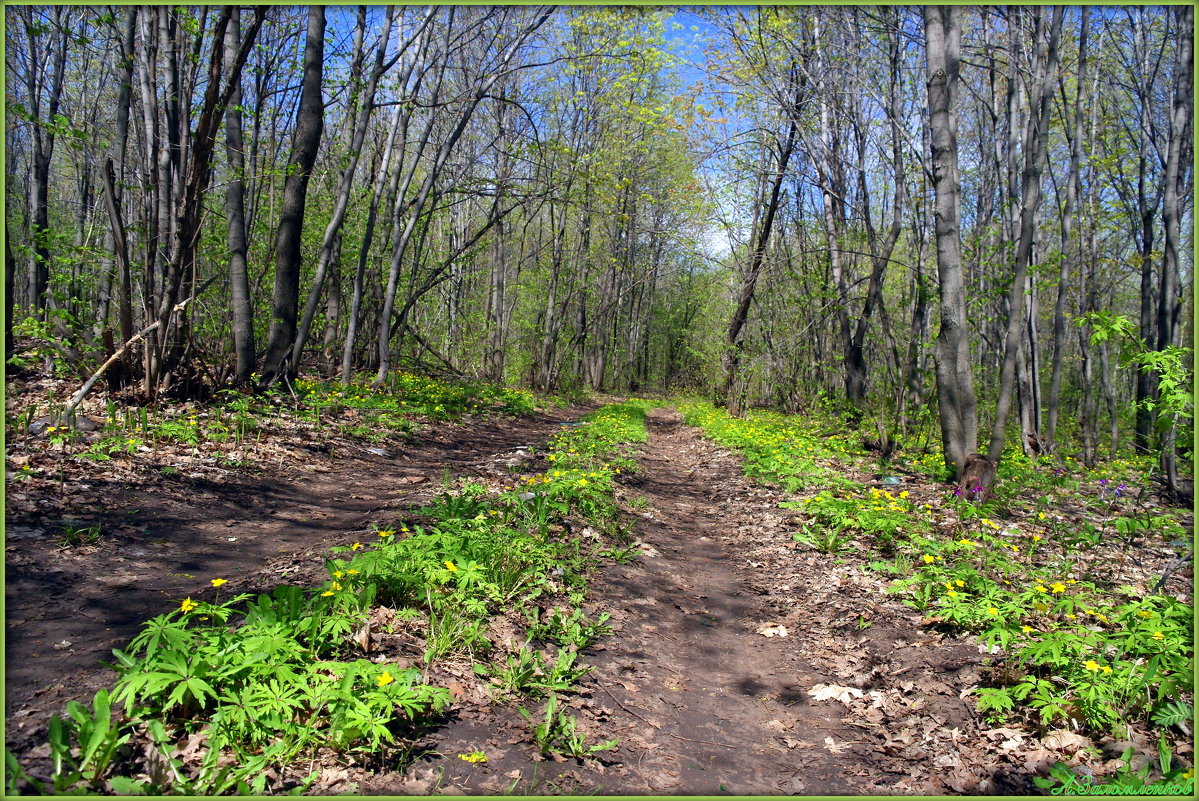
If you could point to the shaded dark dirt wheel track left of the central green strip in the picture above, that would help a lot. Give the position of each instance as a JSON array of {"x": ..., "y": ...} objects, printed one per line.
[{"x": 166, "y": 535}]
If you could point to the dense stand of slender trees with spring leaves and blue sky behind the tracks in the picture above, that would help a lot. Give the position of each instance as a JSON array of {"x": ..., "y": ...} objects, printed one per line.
[{"x": 930, "y": 221}]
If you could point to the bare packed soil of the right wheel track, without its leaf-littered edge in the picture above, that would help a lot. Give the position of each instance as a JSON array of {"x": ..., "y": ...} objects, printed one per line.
[{"x": 704, "y": 703}]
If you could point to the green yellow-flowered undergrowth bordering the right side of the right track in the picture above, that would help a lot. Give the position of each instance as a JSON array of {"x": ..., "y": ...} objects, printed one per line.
[{"x": 1070, "y": 648}]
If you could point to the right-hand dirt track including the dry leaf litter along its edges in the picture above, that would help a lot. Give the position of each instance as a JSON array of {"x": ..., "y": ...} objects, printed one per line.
[{"x": 702, "y": 701}]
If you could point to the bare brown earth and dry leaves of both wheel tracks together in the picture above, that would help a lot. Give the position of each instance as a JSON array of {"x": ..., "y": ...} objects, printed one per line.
[{"x": 742, "y": 661}]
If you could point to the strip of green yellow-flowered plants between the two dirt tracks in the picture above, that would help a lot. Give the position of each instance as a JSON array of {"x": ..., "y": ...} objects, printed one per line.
[{"x": 220, "y": 694}]
